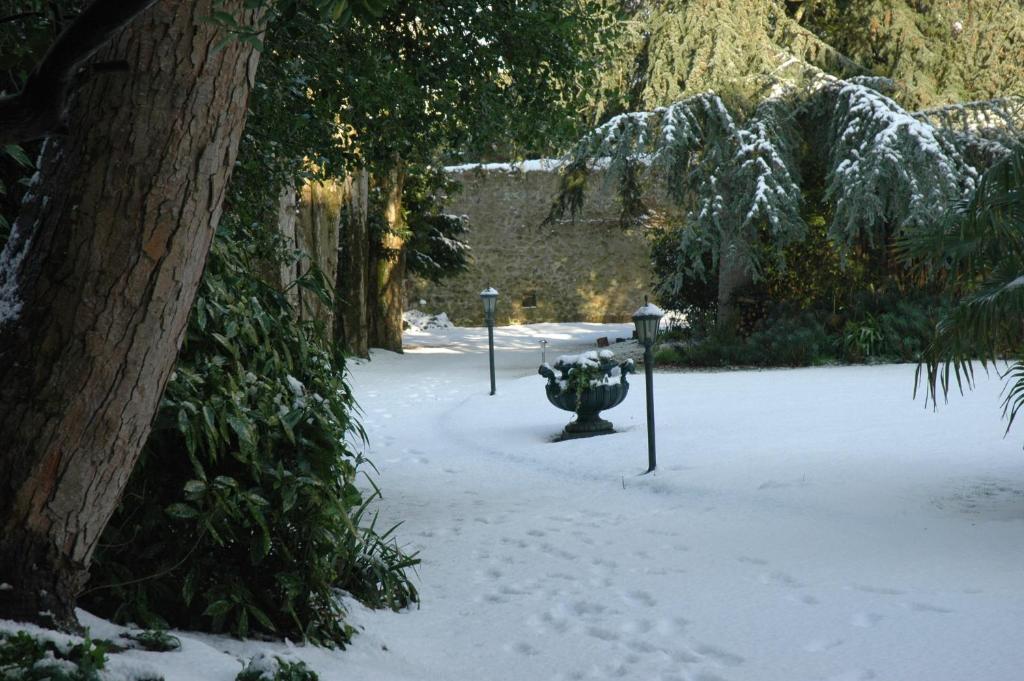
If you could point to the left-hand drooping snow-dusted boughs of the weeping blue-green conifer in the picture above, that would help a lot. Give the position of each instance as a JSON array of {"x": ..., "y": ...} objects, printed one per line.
[{"x": 734, "y": 181}]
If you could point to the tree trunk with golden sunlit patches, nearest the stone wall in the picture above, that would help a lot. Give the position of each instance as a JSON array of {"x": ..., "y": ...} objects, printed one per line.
[{"x": 390, "y": 270}]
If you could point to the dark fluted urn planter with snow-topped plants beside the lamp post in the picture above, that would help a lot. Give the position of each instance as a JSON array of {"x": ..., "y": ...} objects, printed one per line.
[{"x": 587, "y": 385}]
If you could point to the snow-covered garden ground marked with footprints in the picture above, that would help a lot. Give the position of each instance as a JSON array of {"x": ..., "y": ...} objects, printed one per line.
[{"x": 803, "y": 525}]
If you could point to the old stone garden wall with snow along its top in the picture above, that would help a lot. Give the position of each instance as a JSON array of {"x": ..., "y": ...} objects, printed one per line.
[{"x": 587, "y": 271}]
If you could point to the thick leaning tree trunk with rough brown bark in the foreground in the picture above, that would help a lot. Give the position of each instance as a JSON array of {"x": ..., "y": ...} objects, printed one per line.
[{"x": 96, "y": 288}]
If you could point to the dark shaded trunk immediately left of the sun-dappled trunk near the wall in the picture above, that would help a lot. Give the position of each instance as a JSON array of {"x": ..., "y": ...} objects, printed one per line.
[{"x": 352, "y": 322}]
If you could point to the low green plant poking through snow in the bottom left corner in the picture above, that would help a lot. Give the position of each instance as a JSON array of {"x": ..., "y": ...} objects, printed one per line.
[{"x": 25, "y": 658}]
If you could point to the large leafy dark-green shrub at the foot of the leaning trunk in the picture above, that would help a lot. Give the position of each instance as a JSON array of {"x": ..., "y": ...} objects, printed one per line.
[{"x": 243, "y": 513}]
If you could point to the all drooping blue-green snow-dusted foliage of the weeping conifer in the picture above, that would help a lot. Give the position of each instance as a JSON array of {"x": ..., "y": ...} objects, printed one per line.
[{"x": 739, "y": 178}]
